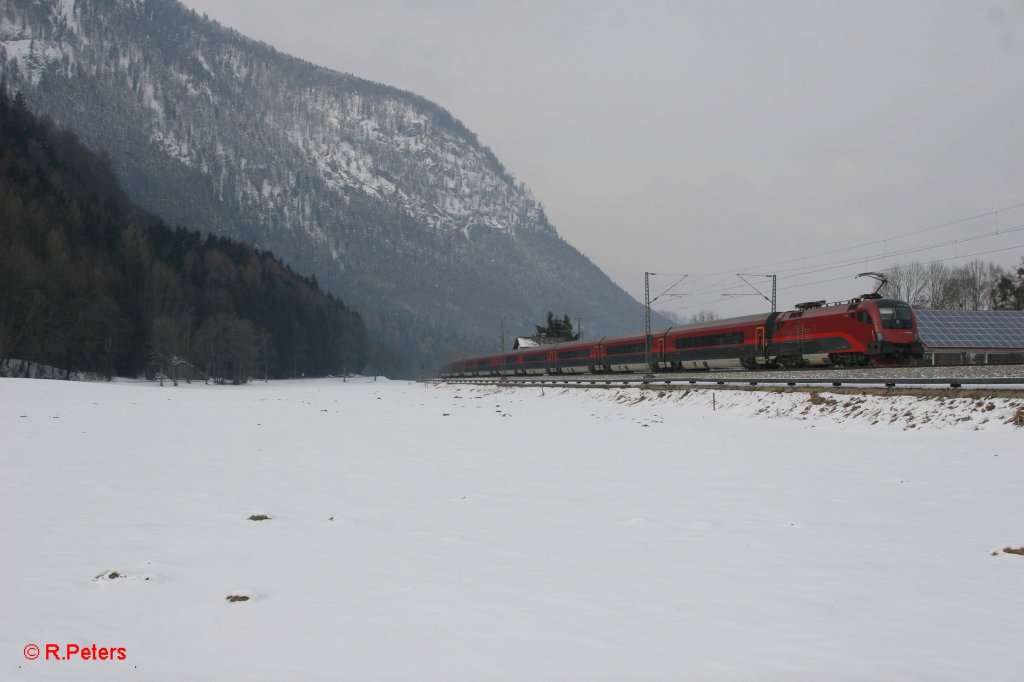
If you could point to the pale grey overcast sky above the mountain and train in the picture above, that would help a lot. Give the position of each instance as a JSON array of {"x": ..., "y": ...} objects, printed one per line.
[{"x": 714, "y": 137}]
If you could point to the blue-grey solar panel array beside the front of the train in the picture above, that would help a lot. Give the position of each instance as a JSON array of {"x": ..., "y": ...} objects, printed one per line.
[{"x": 971, "y": 329}]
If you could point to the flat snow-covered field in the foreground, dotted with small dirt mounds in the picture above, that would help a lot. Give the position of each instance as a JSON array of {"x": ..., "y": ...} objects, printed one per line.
[{"x": 442, "y": 533}]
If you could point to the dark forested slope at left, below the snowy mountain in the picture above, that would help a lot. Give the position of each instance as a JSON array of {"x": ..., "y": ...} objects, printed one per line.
[{"x": 90, "y": 283}]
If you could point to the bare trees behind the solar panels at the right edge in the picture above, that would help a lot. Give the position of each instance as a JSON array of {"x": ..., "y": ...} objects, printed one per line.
[{"x": 974, "y": 286}]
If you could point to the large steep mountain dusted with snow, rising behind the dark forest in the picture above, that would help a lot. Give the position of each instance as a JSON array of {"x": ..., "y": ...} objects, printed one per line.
[{"x": 387, "y": 198}]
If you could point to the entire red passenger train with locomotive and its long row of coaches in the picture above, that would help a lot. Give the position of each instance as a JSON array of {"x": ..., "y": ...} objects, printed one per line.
[{"x": 866, "y": 331}]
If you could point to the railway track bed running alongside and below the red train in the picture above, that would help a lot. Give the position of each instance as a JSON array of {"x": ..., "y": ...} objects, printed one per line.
[{"x": 999, "y": 378}]
